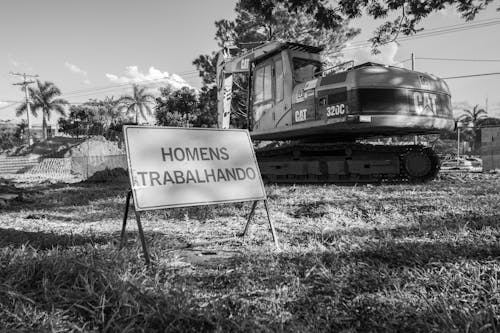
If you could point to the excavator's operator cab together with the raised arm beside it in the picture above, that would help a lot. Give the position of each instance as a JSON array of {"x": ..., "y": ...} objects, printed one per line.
[{"x": 273, "y": 71}]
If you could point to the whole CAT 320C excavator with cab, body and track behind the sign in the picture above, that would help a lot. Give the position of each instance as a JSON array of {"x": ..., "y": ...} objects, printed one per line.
[{"x": 319, "y": 118}]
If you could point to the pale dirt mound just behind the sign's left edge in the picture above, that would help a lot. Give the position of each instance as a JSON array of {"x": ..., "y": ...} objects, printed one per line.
[{"x": 95, "y": 146}]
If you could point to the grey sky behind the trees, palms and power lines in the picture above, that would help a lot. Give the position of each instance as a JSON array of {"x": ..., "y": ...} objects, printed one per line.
[{"x": 93, "y": 48}]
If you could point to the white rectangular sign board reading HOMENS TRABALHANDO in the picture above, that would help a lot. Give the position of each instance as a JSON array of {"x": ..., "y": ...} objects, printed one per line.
[{"x": 176, "y": 167}]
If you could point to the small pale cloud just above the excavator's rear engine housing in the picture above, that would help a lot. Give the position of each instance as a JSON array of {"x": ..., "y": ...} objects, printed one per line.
[{"x": 386, "y": 56}]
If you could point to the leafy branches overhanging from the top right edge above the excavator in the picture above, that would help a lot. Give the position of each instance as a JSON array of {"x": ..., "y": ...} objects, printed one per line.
[{"x": 411, "y": 13}]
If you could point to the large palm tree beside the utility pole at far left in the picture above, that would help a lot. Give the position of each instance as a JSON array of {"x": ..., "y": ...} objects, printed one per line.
[{"x": 44, "y": 97}]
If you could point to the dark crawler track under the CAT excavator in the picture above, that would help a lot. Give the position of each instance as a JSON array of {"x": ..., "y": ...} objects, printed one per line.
[{"x": 347, "y": 163}]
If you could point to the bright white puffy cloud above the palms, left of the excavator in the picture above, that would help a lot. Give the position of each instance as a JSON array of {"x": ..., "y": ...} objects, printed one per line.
[{"x": 153, "y": 78}]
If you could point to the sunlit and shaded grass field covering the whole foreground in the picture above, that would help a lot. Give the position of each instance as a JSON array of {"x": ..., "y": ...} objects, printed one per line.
[{"x": 405, "y": 258}]
